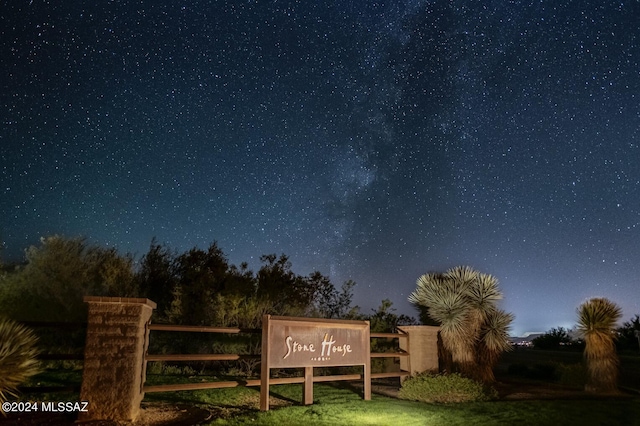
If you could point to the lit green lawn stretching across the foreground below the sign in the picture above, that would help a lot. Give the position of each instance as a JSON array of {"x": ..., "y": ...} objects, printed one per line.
[{"x": 335, "y": 405}]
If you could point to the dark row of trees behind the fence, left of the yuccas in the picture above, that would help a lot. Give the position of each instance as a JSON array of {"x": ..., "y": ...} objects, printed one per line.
[{"x": 197, "y": 287}]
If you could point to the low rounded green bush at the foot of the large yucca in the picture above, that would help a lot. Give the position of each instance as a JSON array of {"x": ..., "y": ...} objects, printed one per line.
[{"x": 440, "y": 388}]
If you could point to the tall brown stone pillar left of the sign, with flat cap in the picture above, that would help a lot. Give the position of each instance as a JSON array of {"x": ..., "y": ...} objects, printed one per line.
[{"x": 114, "y": 365}]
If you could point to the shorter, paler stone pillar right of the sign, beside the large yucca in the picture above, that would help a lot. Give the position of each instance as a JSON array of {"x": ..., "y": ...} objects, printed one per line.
[{"x": 422, "y": 347}]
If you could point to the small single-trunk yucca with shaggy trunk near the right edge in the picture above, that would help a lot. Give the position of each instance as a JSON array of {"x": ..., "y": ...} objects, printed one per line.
[{"x": 597, "y": 319}]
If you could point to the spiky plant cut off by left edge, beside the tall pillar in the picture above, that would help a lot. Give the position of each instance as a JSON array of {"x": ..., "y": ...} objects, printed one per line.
[{"x": 17, "y": 357}]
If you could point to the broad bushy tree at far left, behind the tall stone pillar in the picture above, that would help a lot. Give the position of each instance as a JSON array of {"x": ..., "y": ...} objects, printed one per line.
[{"x": 59, "y": 273}]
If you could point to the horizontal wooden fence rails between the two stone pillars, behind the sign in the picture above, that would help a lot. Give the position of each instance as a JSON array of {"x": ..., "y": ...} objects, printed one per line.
[{"x": 236, "y": 357}]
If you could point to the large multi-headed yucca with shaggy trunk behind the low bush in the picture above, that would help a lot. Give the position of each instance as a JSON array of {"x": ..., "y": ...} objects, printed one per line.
[{"x": 473, "y": 329}]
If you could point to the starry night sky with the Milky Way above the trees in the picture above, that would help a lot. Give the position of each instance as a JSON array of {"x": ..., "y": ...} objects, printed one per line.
[{"x": 372, "y": 141}]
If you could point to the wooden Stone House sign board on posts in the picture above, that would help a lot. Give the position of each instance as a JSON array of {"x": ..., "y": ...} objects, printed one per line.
[{"x": 291, "y": 342}]
